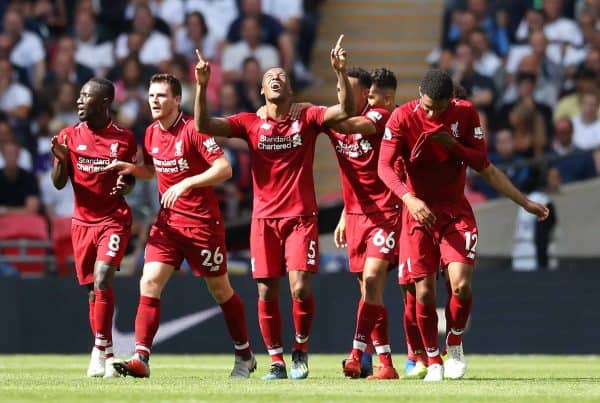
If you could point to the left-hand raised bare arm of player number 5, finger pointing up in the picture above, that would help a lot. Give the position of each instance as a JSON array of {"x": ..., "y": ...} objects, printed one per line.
[{"x": 204, "y": 123}]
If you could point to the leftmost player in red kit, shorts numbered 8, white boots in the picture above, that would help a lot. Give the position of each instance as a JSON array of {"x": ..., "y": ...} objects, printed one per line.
[{"x": 101, "y": 218}]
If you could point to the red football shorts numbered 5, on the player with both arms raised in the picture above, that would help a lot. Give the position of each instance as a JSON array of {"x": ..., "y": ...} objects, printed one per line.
[{"x": 278, "y": 245}]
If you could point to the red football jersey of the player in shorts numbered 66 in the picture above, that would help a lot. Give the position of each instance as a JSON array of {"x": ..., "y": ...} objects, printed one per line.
[{"x": 357, "y": 156}]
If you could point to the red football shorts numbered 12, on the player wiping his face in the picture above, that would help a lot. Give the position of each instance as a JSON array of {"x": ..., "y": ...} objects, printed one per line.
[{"x": 453, "y": 239}]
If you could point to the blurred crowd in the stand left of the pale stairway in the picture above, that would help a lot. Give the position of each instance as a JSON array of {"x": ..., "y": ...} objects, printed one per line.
[{"x": 50, "y": 48}]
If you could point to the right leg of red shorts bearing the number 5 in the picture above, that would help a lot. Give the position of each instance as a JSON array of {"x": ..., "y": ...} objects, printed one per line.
[{"x": 301, "y": 244}]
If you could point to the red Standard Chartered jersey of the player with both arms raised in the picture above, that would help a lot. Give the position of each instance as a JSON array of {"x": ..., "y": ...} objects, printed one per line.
[{"x": 282, "y": 155}]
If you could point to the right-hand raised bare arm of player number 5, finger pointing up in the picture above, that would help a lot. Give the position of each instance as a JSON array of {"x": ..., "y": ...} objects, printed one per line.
[{"x": 346, "y": 106}]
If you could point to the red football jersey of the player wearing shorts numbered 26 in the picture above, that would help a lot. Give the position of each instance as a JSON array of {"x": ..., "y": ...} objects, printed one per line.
[{"x": 178, "y": 153}]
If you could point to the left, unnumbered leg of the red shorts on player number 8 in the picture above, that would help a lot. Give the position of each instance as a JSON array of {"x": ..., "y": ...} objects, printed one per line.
[{"x": 84, "y": 252}]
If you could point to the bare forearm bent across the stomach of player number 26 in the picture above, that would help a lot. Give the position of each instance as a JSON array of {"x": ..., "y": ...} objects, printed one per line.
[{"x": 219, "y": 172}]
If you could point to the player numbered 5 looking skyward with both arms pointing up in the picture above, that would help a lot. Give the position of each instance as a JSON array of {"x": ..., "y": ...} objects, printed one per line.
[{"x": 284, "y": 233}]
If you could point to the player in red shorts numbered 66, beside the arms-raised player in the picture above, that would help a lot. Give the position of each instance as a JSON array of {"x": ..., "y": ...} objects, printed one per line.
[{"x": 370, "y": 221}]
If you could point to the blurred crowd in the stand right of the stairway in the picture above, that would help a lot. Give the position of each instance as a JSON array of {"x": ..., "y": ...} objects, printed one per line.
[{"x": 532, "y": 68}]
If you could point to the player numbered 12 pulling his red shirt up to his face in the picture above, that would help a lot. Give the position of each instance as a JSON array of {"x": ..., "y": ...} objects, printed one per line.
[{"x": 435, "y": 137}]
